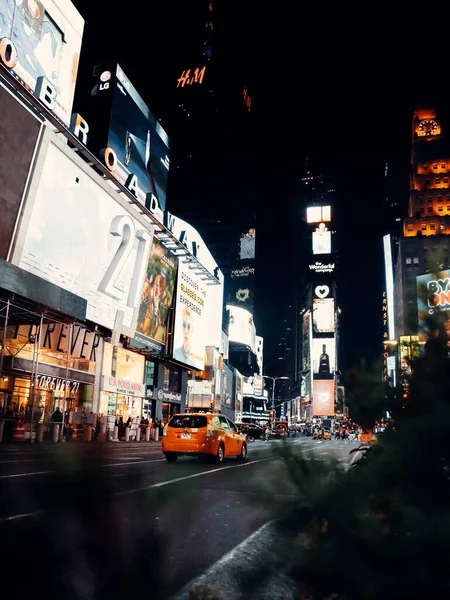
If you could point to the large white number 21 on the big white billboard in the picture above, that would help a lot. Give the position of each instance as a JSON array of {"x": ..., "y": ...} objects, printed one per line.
[{"x": 124, "y": 227}]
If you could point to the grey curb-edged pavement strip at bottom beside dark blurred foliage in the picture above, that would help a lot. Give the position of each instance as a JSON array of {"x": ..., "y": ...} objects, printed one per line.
[{"x": 252, "y": 570}]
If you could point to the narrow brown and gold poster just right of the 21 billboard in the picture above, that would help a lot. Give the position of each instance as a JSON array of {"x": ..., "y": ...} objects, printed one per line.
[{"x": 156, "y": 300}]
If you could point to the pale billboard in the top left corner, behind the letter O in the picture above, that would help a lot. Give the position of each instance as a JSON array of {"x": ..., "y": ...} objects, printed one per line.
[{"x": 42, "y": 38}]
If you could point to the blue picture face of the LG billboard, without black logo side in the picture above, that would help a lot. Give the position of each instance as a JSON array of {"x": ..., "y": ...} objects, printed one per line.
[{"x": 140, "y": 143}]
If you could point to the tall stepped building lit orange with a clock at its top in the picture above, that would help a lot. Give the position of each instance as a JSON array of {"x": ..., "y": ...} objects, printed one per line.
[{"x": 425, "y": 244}]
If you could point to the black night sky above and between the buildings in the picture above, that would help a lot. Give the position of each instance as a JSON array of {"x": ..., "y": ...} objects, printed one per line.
[{"x": 343, "y": 84}]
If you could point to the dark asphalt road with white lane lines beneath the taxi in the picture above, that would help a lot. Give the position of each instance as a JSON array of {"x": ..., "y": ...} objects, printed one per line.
[{"x": 124, "y": 502}]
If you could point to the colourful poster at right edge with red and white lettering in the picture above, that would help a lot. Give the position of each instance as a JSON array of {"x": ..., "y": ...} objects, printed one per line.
[{"x": 433, "y": 303}]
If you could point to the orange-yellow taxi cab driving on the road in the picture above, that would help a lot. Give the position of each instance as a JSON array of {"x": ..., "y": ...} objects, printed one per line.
[{"x": 197, "y": 434}]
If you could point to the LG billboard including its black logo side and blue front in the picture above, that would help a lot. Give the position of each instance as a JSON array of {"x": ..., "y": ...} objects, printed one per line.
[{"x": 126, "y": 136}]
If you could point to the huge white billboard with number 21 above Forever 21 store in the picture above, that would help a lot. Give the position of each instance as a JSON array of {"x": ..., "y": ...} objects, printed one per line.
[{"x": 82, "y": 236}]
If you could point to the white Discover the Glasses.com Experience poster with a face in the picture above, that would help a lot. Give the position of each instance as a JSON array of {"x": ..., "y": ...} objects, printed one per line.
[{"x": 190, "y": 323}]
